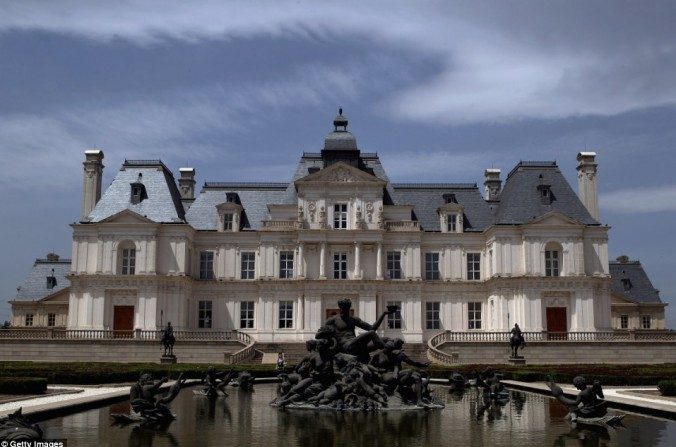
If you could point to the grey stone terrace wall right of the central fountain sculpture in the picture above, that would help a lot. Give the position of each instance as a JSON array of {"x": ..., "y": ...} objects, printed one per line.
[{"x": 552, "y": 352}]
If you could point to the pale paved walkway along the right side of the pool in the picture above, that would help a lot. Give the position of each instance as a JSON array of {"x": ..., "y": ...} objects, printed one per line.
[{"x": 622, "y": 397}]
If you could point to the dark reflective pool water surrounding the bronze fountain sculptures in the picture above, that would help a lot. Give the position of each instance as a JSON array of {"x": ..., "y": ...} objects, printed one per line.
[{"x": 245, "y": 419}]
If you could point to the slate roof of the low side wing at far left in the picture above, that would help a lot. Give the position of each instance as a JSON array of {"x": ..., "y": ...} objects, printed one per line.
[{"x": 35, "y": 285}]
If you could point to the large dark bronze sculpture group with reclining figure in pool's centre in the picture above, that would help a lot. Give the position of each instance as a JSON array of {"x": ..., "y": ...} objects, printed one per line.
[{"x": 346, "y": 371}]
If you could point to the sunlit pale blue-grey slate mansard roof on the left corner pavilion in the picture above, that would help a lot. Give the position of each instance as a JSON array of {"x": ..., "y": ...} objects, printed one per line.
[{"x": 163, "y": 202}]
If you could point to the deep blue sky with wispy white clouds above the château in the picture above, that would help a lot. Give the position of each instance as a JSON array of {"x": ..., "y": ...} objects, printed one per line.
[{"x": 238, "y": 90}]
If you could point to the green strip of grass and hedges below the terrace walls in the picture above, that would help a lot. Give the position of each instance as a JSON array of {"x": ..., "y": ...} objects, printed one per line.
[{"x": 97, "y": 373}]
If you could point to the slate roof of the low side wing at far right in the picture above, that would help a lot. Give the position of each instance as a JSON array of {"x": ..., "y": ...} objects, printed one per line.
[{"x": 630, "y": 281}]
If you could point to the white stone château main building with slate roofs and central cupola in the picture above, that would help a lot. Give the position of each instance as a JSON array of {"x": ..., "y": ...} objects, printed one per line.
[{"x": 272, "y": 259}]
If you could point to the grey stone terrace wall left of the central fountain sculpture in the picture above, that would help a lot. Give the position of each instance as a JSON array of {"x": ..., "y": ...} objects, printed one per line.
[{"x": 123, "y": 351}]
